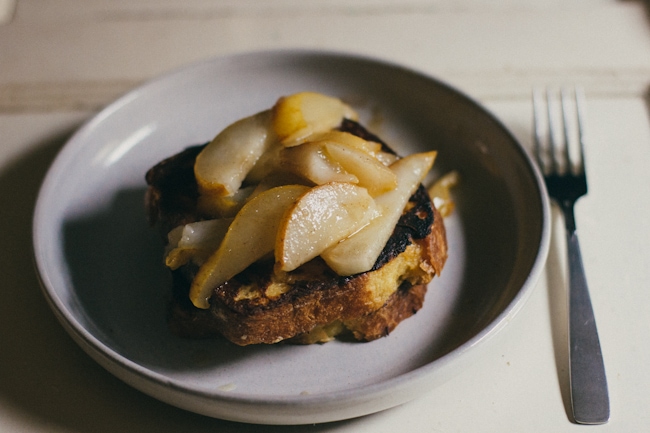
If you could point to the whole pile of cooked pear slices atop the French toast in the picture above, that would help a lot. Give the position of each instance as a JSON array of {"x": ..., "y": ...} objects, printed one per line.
[{"x": 285, "y": 182}]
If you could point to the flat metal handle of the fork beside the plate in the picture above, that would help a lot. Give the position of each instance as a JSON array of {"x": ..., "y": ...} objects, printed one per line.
[{"x": 589, "y": 395}]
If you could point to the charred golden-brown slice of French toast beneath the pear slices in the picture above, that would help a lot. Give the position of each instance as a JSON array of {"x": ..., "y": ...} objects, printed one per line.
[{"x": 311, "y": 303}]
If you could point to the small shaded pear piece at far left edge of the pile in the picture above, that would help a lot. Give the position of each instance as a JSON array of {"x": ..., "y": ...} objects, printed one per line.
[{"x": 195, "y": 241}]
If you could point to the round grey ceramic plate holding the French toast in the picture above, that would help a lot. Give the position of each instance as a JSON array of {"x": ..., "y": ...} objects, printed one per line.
[{"x": 101, "y": 266}]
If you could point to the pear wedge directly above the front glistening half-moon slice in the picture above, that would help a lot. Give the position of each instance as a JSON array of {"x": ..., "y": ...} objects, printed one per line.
[{"x": 372, "y": 174}]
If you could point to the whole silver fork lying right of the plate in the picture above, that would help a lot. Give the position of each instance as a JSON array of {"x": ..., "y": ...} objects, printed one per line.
[{"x": 566, "y": 181}]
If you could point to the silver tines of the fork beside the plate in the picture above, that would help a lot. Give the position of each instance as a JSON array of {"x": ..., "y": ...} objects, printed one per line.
[{"x": 559, "y": 134}]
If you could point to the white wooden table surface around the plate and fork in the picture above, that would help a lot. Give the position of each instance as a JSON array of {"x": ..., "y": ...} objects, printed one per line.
[{"x": 63, "y": 60}]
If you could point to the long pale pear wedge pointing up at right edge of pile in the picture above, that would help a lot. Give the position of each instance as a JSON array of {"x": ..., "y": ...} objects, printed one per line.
[{"x": 359, "y": 252}]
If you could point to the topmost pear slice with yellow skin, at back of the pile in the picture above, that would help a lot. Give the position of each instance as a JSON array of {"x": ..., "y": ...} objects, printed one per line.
[{"x": 298, "y": 116}]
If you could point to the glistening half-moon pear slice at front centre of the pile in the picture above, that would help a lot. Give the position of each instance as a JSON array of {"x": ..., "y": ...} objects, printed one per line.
[{"x": 321, "y": 218}]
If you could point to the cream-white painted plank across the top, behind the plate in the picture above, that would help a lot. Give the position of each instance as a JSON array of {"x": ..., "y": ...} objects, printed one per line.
[{"x": 71, "y": 55}]
